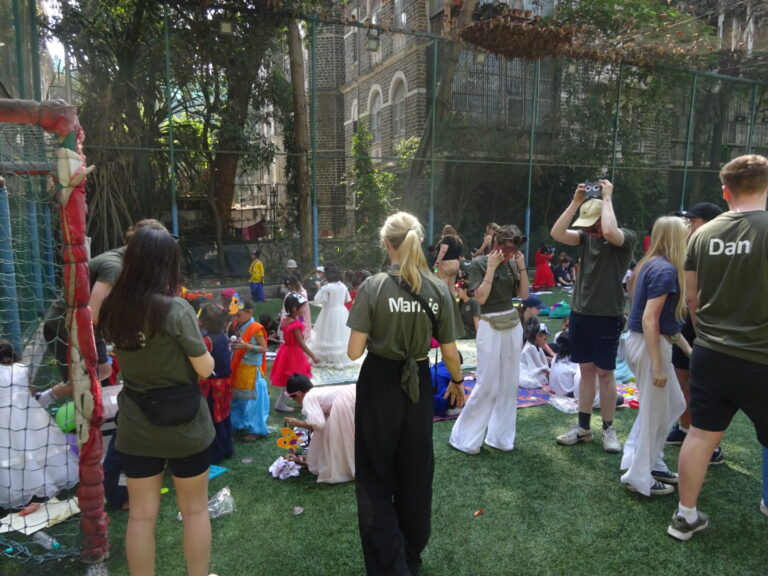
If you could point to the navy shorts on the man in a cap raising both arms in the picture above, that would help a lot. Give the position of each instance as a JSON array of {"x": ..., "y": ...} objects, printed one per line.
[{"x": 595, "y": 339}]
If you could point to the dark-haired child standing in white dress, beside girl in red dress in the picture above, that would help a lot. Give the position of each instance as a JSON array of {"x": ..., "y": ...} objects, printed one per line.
[{"x": 331, "y": 332}]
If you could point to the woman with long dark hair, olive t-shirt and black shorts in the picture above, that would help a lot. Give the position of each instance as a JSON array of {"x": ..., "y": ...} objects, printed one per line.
[{"x": 163, "y": 417}]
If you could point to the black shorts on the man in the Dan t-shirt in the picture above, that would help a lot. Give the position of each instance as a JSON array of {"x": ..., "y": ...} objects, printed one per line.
[{"x": 721, "y": 385}]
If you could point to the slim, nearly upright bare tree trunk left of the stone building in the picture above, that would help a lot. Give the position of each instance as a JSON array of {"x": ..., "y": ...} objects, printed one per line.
[{"x": 301, "y": 124}]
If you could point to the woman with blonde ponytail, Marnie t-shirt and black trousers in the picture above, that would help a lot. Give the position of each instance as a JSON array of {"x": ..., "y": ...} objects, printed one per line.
[{"x": 394, "y": 462}]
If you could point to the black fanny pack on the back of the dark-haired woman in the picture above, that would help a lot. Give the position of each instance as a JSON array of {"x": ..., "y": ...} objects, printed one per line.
[{"x": 169, "y": 406}]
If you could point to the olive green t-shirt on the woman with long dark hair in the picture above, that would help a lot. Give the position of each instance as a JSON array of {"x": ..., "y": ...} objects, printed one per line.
[{"x": 161, "y": 363}]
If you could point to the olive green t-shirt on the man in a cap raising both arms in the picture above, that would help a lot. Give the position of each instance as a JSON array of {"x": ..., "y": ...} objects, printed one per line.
[{"x": 602, "y": 267}]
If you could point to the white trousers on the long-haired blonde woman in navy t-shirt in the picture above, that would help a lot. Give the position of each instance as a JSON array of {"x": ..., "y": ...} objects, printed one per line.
[{"x": 659, "y": 409}]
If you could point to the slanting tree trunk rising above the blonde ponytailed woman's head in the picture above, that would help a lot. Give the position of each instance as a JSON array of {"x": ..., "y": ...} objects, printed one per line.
[{"x": 451, "y": 51}]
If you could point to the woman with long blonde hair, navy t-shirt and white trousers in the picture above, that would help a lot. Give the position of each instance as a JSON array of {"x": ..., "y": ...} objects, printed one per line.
[{"x": 656, "y": 318}]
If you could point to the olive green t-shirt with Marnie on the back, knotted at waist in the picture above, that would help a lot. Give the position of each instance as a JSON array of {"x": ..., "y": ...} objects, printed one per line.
[{"x": 396, "y": 325}]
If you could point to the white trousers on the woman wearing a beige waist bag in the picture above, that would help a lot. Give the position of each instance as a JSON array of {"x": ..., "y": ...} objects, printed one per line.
[{"x": 491, "y": 412}]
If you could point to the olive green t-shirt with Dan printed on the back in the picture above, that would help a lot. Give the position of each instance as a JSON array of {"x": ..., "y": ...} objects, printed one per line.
[{"x": 730, "y": 257}]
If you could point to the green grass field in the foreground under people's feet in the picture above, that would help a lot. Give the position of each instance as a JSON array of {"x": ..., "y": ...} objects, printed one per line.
[{"x": 547, "y": 510}]
